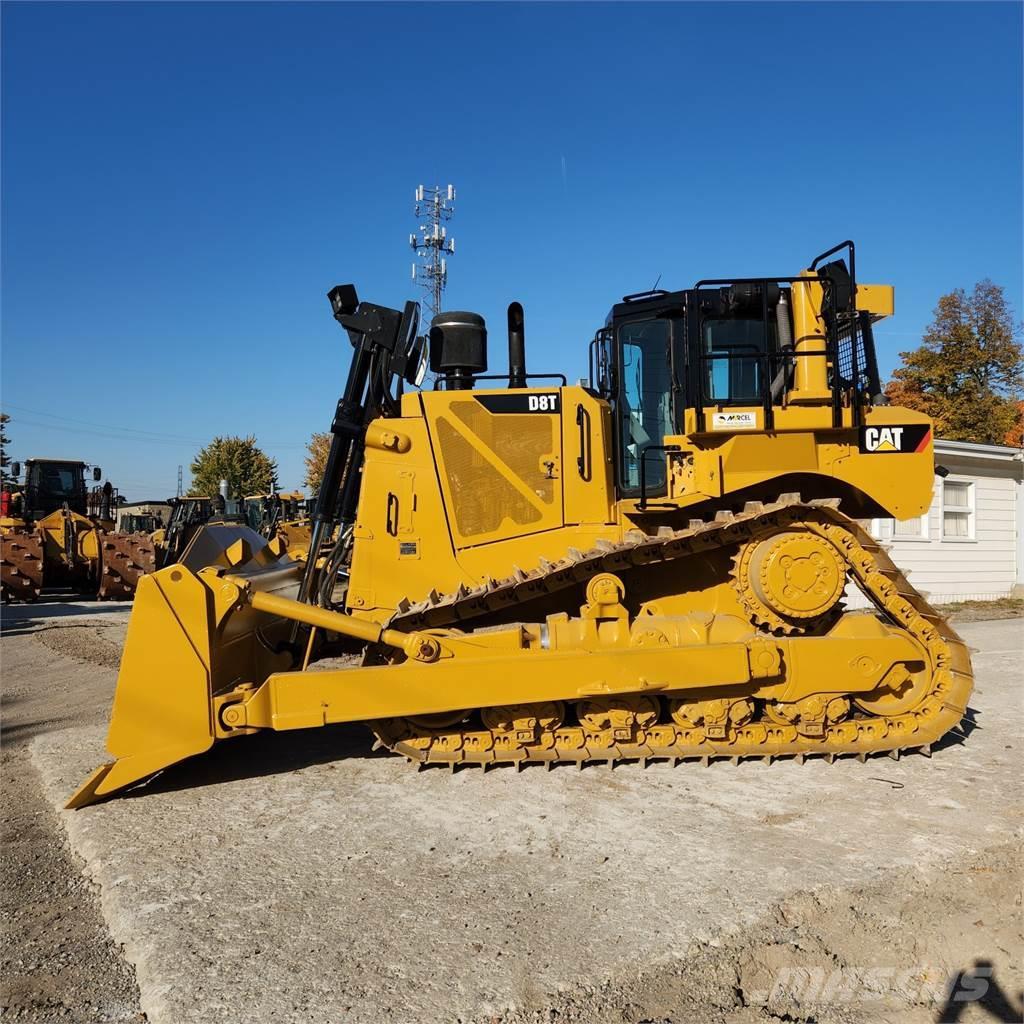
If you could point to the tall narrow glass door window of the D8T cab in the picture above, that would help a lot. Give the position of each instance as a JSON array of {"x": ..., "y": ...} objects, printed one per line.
[{"x": 645, "y": 401}]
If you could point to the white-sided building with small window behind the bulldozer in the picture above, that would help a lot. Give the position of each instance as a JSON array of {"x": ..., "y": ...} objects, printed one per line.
[{"x": 970, "y": 544}]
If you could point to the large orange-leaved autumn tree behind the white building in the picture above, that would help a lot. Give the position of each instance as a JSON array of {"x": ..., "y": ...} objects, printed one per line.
[{"x": 969, "y": 372}]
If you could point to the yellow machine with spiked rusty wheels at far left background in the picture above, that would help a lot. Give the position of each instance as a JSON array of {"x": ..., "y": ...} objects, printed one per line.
[{"x": 57, "y": 531}]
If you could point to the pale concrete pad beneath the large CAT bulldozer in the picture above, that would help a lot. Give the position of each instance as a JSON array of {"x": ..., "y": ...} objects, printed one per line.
[{"x": 301, "y": 878}]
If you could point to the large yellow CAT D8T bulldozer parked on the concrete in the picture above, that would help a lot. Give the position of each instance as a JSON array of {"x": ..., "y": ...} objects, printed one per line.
[{"x": 653, "y": 565}]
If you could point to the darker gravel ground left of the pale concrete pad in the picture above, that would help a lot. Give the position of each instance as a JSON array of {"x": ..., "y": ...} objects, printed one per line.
[{"x": 58, "y": 961}]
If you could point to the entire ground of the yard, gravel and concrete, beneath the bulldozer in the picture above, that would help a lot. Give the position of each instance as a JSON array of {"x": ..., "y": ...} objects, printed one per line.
[{"x": 302, "y": 877}]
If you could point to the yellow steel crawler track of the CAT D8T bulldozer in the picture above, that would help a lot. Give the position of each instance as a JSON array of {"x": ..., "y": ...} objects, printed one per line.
[{"x": 645, "y": 728}]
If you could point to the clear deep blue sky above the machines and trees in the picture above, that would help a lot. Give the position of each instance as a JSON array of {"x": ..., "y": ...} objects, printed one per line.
[{"x": 183, "y": 184}]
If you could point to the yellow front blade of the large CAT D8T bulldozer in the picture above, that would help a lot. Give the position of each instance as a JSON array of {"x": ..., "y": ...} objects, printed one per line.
[{"x": 183, "y": 648}]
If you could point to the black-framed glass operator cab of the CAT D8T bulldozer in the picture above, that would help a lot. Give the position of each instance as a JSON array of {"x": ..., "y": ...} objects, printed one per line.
[{"x": 723, "y": 345}]
